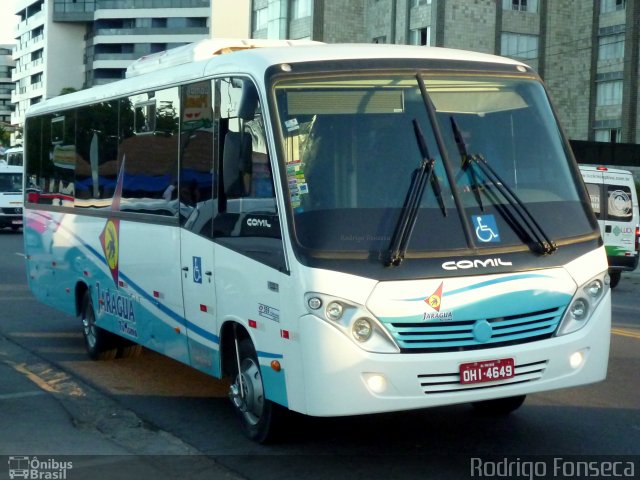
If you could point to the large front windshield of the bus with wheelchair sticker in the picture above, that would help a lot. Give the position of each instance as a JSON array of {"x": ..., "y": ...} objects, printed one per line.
[{"x": 351, "y": 152}]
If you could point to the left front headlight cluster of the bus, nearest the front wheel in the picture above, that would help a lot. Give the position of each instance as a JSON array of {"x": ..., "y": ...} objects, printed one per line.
[{"x": 353, "y": 320}]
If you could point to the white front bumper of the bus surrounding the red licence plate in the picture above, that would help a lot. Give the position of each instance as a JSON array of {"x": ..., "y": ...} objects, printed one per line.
[{"x": 339, "y": 378}]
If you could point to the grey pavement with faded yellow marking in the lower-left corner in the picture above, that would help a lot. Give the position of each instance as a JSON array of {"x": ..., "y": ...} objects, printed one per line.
[{"x": 50, "y": 422}]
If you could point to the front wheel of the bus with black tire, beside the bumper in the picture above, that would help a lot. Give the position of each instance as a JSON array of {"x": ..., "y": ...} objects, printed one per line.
[{"x": 259, "y": 417}]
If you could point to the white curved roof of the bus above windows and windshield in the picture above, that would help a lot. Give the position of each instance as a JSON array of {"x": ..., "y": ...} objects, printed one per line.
[{"x": 253, "y": 62}]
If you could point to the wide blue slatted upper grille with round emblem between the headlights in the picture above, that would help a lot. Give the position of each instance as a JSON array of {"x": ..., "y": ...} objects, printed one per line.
[{"x": 464, "y": 335}]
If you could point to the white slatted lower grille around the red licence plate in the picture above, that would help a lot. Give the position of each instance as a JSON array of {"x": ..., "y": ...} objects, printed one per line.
[{"x": 441, "y": 383}]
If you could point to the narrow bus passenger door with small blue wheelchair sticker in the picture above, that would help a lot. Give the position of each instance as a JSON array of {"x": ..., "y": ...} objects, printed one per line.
[{"x": 197, "y": 197}]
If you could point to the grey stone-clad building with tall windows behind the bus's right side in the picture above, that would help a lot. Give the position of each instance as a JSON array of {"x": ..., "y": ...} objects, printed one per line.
[{"x": 587, "y": 52}]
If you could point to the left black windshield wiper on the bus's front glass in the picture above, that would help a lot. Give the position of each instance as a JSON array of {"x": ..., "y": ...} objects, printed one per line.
[{"x": 407, "y": 221}]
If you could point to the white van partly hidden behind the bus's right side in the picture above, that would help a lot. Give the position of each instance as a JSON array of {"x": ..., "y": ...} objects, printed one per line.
[{"x": 614, "y": 201}]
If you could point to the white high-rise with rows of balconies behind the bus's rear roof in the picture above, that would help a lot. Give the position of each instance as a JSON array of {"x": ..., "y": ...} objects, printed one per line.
[{"x": 74, "y": 44}]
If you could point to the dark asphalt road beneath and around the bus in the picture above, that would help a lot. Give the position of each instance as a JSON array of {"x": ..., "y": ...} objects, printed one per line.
[{"x": 601, "y": 419}]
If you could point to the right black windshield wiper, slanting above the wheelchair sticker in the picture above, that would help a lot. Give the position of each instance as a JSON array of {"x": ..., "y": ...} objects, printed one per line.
[{"x": 527, "y": 221}]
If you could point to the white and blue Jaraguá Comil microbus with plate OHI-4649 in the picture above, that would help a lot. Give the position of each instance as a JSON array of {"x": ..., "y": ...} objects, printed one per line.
[{"x": 337, "y": 229}]
